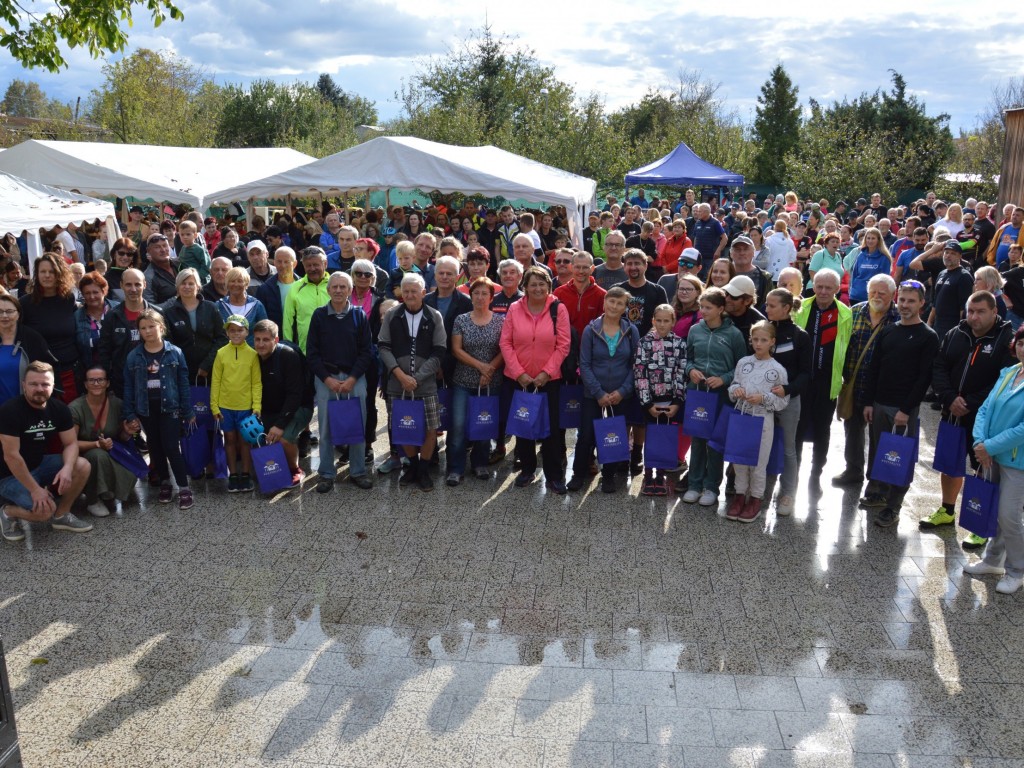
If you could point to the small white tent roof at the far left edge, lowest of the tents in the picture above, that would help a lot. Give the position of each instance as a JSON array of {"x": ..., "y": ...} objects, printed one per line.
[{"x": 27, "y": 205}]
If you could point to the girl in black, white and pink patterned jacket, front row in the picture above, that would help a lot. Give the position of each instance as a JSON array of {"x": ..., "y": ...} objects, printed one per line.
[{"x": 660, "y": 373}]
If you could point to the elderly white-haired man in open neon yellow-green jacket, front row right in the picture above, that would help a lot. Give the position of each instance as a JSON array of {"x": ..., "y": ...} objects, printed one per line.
[{"x": 829, "y": 323}]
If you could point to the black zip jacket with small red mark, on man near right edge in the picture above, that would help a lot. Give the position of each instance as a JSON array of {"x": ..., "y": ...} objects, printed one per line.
[{"x": 968, "y": 367}]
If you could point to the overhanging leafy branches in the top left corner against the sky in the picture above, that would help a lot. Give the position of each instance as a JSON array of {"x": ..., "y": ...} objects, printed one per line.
[{"x": 31, "y": 32}]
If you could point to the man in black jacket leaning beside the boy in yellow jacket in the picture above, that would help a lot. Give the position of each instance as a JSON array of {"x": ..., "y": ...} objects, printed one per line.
[{"x": 287, "y": 401}]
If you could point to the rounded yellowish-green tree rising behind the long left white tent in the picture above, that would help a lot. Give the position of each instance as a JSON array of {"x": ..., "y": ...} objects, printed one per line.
[{"x": 155, "y": 98}]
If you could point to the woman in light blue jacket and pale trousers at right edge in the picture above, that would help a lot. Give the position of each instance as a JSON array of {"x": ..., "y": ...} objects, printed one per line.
[{"x": 999, "y": 446}]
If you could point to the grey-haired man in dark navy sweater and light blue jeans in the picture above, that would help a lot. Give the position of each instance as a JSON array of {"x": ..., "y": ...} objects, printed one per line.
[{"x": 338, "y": 350}]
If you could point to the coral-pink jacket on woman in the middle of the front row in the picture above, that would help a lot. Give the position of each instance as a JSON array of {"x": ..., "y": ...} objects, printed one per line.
[{"x": 530, "y": 345}]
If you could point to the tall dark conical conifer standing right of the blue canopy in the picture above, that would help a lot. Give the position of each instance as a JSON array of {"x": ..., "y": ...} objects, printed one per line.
[{"x": 777, "y": 127}]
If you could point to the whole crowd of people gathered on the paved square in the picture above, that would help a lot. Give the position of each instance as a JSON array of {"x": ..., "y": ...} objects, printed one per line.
[{"x": 670, "y": 313}]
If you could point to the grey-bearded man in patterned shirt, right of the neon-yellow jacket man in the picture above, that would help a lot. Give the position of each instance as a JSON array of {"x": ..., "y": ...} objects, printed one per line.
[{"x": 868, "y": 319}]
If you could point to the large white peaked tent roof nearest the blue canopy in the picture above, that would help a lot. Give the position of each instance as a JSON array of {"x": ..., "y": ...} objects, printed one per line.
[{"x": 406, "y": 163}]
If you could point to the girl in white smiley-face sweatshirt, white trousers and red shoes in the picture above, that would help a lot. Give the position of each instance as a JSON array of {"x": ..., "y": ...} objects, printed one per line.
[{"x": 753, "y": 382}]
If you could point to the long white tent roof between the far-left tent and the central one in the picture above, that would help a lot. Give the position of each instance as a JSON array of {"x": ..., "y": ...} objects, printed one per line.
[{"x": 174, "y": 175}]
